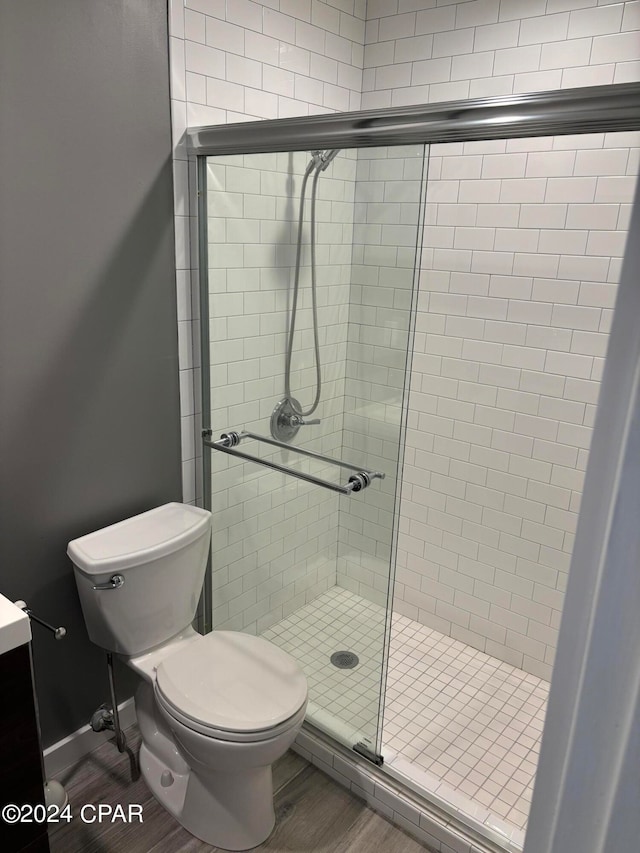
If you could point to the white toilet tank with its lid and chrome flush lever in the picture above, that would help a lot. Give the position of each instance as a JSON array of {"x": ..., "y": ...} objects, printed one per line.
[{"x": 161, "y": 555}]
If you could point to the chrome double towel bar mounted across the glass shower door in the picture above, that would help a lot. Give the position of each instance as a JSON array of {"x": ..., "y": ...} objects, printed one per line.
[{"x": 228, "y": 442}]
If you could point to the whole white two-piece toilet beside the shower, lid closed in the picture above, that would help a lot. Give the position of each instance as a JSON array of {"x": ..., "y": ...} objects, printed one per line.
[{"x": 214, "y": 711}]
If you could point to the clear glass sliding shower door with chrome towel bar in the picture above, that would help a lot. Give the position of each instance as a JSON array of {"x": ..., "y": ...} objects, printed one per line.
[{"x": 302, "y": 554}]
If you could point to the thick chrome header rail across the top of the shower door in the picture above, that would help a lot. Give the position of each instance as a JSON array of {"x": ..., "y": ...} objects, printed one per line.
[{"x": 589, "y": 109}]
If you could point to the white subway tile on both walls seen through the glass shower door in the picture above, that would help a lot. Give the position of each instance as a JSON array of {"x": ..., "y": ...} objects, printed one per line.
[{"x": 277, "y": 540}]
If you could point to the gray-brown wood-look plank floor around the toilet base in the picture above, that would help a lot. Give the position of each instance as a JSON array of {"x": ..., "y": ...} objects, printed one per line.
[{"x": 313, "y": 813}]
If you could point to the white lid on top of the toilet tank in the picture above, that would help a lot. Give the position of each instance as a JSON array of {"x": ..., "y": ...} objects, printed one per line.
[{"x": 139, "y": 539}]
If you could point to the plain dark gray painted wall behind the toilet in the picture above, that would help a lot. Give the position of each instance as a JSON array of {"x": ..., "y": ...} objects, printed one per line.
[{"x": 89, "y": 400}]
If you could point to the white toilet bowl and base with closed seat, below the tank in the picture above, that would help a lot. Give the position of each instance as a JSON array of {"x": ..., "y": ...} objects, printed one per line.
[{"x": 229, "y": 704}]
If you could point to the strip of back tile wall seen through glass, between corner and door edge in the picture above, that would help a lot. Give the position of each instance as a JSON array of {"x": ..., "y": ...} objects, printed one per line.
[{"x": 387, "y": 218}]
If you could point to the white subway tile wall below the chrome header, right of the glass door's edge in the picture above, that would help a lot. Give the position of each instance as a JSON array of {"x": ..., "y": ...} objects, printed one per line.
[{"x": 516, "y": 293}]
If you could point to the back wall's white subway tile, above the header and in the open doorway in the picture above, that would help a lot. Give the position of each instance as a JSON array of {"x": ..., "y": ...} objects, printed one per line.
[{"x": 521, "y": 256}]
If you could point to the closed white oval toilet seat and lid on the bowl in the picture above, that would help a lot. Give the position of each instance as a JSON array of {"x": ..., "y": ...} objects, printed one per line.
[{"x": 232, "y": 686}]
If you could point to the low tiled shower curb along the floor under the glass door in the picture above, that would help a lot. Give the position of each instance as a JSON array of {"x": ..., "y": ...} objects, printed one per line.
[{"x": 427, "y": 822}]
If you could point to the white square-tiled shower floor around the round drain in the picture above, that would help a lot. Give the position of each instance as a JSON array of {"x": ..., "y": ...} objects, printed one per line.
[{"x": 459, "y": 723}]
